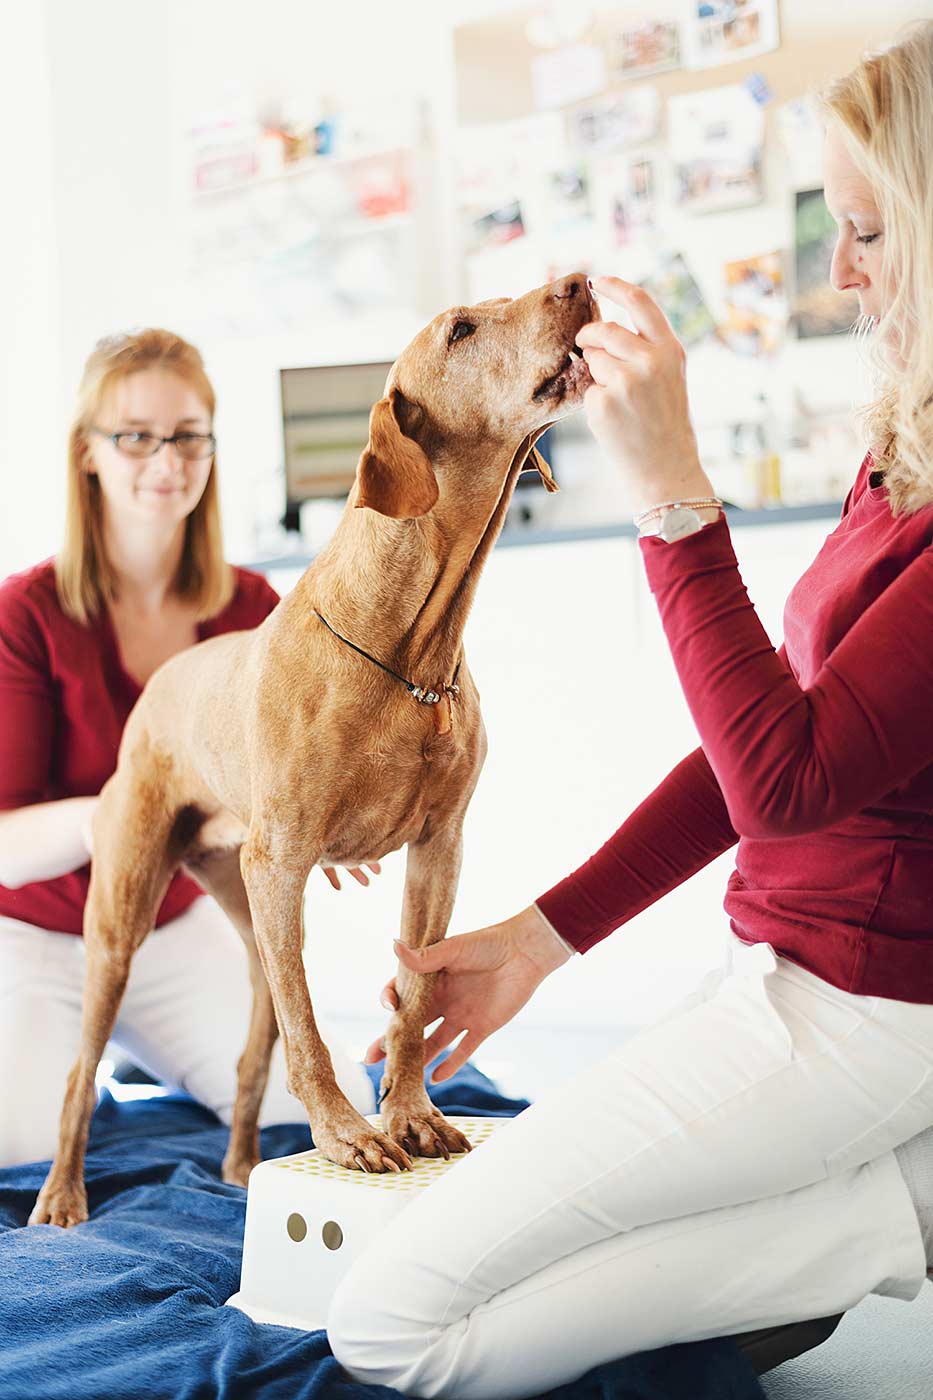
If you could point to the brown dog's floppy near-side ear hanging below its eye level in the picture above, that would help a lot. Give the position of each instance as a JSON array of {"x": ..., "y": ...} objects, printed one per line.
[{"x": 396, "y": 477}]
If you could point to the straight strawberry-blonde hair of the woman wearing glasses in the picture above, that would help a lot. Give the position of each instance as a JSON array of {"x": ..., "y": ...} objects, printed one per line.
[{"x": 85, "y": 576}]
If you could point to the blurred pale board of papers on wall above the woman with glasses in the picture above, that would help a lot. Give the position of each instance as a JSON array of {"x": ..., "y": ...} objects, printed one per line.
[{"x": 298, "y": 211}]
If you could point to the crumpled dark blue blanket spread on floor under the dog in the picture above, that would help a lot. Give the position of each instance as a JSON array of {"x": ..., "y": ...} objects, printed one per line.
[{"x": 128, "y": 1307}]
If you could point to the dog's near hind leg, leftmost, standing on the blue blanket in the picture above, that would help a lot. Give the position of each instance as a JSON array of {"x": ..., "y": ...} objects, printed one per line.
[{"x": 135, "y": 835}]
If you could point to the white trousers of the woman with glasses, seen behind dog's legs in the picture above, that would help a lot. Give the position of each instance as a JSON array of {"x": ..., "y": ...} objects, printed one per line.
[{"x": 184, "y": 1018}]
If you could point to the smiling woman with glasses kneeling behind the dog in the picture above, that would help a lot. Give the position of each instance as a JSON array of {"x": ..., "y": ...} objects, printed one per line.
[{"x": 141, "y": 576}]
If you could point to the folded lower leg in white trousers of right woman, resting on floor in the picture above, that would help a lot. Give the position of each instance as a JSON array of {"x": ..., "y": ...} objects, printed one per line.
[{"x": 809, "y": 1254}]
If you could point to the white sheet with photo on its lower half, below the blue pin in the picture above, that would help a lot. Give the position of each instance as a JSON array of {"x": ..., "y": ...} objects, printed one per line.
[{"x": 717, "y": 141}]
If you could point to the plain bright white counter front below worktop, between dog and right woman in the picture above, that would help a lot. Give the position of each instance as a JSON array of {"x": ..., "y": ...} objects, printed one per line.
[{"x": 585, "y": 717}]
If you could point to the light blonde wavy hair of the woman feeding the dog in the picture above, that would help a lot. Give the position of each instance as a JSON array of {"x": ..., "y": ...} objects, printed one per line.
[{"x": 885, "y": 113}]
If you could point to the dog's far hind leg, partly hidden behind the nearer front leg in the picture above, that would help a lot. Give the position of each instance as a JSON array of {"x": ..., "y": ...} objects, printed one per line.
[{"x": 219, "y": 874}]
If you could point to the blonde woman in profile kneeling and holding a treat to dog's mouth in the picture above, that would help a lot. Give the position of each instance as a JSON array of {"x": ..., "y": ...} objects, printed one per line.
[{"x": 764, "y": 1154}]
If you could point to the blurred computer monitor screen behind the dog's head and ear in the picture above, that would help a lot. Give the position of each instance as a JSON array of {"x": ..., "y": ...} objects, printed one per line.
[{"x": 326, "y": 425}]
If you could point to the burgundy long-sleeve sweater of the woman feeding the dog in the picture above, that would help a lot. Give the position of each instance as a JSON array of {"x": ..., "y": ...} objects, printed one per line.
[{"x": 816, "y": 759}]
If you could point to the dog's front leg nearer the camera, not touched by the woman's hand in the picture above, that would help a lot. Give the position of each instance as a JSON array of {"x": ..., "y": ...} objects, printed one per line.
[{"x": 277, "y": 891}]
